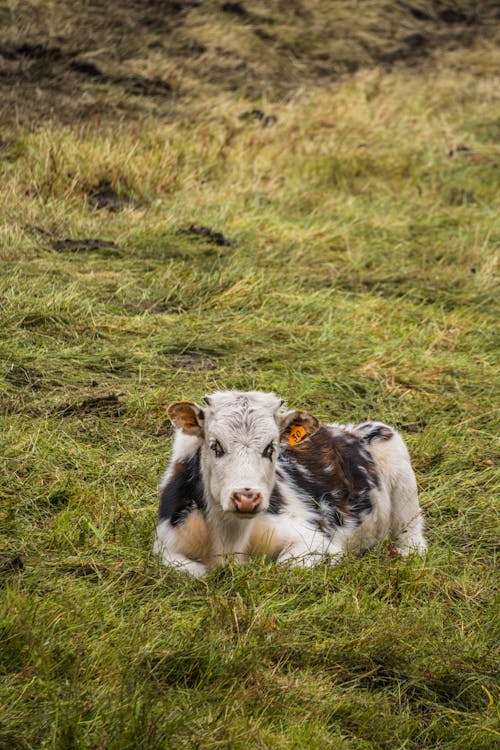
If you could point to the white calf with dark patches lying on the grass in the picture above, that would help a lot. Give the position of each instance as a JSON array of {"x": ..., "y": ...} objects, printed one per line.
[{"x": 247, "y": 478}]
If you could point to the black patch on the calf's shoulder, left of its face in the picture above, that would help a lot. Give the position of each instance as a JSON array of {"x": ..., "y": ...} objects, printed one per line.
[{"x": 183, "y": 491}]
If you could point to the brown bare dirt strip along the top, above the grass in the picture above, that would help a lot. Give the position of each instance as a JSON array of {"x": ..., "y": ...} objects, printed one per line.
[{"x": 88, "y": 61}]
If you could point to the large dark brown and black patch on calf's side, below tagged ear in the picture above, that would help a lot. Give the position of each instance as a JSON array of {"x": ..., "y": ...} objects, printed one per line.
[{"x": 336, "y": 471}]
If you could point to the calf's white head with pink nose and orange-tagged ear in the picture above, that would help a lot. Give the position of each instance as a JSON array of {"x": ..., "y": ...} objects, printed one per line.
[{"x": 240, "y": 434}]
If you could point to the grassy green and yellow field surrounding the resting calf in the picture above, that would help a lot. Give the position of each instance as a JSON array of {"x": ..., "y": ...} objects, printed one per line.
[{"x": 299, "y": 197}]
